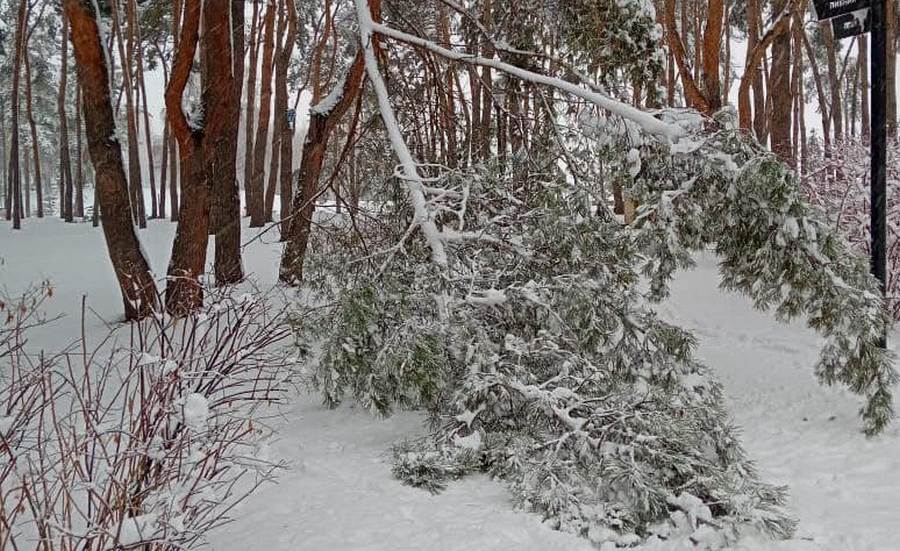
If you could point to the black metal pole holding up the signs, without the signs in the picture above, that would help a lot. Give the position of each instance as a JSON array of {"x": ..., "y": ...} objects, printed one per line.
[{"x": 878, "y": 143}]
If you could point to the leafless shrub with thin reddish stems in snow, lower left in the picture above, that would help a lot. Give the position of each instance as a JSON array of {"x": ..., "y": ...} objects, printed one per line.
[{"x": 147, "y": 440}]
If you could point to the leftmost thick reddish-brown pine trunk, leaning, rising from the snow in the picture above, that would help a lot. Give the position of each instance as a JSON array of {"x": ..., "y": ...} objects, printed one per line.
[{"x": 131, "y": 267}]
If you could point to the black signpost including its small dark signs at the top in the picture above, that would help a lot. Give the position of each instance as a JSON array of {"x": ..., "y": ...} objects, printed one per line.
[{"x": 850, "y": 18}]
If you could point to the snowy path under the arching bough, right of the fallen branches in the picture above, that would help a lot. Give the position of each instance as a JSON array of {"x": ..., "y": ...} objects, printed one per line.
[{"x": 845, "y": 489}]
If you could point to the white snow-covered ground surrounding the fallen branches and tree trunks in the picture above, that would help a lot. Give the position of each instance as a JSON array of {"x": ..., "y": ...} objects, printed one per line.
[{"x": 338, "y": 494}]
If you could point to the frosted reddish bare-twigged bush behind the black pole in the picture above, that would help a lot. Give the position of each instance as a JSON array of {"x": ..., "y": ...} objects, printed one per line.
[{"x": 838, "y": 183}]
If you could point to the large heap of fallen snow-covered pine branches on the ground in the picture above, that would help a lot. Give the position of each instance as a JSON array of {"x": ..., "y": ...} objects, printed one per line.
[{"x": 540, "y": 362}]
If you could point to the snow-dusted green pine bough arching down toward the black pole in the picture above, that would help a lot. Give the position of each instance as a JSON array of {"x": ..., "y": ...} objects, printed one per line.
[{"x": 717, "y": 189}]
